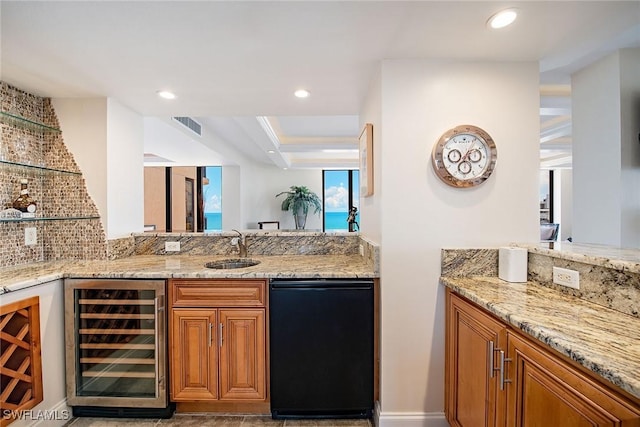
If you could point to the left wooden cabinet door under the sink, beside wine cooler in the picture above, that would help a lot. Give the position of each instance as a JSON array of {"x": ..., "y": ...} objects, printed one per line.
[{"x": 194, "y": 361}]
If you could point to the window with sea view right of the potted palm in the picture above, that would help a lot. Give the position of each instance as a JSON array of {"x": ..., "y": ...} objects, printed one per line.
[{"x": 341, "y": 191}]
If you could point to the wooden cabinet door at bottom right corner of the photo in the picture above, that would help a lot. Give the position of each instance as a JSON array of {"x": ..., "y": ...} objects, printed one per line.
[{"x": 547, "y": 391}]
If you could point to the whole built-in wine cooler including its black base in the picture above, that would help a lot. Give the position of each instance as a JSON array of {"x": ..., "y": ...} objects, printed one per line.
[{"x": 116, "y": 355}]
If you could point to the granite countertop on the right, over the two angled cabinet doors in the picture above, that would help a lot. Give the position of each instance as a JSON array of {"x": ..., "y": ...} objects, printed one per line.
[{"x": 605, "y": 341}]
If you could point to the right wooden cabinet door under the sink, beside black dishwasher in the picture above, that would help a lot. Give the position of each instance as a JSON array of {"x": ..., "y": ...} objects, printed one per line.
[{"x": 242, "y": 354}]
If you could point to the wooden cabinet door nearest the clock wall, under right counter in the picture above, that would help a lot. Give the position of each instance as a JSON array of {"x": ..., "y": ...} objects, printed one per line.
[{"x": 472, "y": 340}]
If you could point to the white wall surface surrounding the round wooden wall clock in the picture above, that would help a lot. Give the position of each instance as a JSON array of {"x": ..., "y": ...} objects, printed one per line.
[{"x": 420, "y": 215}]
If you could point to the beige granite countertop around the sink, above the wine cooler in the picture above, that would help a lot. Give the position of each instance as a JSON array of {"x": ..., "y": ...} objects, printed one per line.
[{"x": 187, "y": 266}]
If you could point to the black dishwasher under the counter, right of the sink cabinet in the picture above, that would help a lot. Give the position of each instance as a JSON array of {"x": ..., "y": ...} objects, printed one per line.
[{"x": 321, "y": 348}]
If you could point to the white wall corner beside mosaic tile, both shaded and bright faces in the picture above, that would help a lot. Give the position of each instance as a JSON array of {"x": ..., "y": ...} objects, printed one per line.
[{"x": 106, "y": 140}]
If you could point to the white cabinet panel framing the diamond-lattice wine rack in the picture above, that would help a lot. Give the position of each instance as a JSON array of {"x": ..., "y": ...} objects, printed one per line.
[{"x": 52, "y": 351}]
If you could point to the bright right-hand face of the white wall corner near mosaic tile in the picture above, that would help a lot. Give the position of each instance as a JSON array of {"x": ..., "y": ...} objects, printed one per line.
[{"x": 125, "y": 174}]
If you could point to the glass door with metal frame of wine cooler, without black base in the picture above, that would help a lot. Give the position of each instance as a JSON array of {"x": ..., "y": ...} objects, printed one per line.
[{"x": 117, "y": 350}]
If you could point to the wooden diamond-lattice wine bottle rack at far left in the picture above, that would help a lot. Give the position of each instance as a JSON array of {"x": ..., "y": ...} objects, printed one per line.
[{"x": 20, "y": 359}]
